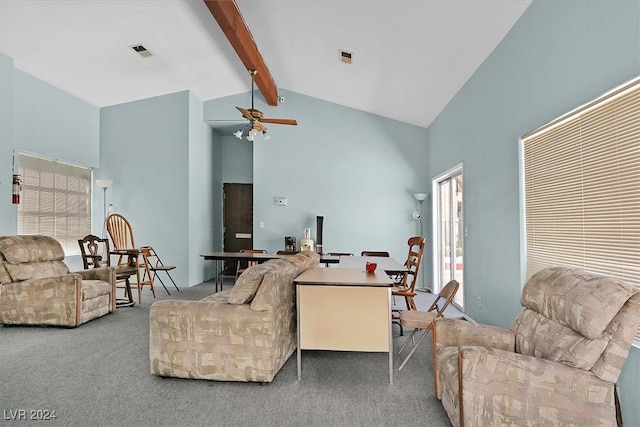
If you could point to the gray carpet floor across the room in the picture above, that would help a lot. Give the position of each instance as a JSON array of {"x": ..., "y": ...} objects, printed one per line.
[{"x": 98, "y": 375}]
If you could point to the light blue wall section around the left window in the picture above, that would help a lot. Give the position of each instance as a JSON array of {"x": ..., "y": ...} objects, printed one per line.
[{"x": 40, "y": 119}]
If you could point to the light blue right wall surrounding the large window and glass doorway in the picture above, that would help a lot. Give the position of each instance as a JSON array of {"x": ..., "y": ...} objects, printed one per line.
[{"x": 558, "y": 56}]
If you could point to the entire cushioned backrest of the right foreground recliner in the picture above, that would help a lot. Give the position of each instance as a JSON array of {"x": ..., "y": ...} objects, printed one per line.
[{"x": 575, "y": 317}]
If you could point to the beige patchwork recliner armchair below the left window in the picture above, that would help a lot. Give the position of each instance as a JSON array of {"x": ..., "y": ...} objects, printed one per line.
[{"x": 36, "y": 287}]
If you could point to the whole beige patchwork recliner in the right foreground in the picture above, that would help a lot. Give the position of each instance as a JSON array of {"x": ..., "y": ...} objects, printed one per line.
[{"x": 558, "y": 363}]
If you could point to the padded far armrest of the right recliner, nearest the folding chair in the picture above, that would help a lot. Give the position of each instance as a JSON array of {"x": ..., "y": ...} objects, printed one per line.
[{"x": 455, "y": 332}]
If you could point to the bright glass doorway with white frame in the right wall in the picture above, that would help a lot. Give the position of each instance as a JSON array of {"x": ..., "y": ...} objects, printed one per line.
[{"x": 448, "y": 224}]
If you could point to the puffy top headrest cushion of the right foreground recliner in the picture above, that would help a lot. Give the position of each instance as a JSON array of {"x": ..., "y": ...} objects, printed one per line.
[{"x": 583, "y": 301}]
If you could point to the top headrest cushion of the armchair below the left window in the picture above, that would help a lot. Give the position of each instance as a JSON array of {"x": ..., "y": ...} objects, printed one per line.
[{"x": 19, "y": 249}]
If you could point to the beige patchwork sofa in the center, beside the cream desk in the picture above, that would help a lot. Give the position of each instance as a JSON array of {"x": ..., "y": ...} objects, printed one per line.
[{"x": 245, "y": 333}]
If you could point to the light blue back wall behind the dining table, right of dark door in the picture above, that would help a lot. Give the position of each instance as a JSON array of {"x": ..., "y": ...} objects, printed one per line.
[{"x": 357, "y": 170}]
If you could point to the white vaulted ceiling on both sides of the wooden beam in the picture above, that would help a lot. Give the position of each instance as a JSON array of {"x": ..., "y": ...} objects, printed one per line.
[{"x": 410, "y": 57}]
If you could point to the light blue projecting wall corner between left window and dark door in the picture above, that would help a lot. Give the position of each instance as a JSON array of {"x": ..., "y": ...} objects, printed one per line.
[{"x": 160, "y": 155}]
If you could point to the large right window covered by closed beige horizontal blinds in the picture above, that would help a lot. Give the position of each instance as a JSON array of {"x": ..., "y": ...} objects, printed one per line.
[{"x": 582, "y": 188}]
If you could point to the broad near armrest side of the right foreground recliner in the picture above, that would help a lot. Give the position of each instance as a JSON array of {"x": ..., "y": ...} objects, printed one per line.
[{"x": 499, "y": 387}]
